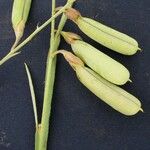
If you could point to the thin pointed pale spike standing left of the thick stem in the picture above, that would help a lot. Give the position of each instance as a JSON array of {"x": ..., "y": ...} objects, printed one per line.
[{"x": 32, "y": 94}]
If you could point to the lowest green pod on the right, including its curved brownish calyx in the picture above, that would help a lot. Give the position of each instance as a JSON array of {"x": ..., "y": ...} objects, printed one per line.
[{"x": 114, "y": 96}]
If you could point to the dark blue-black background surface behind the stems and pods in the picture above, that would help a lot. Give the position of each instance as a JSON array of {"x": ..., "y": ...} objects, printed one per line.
[{"x": 80, "y": 121}]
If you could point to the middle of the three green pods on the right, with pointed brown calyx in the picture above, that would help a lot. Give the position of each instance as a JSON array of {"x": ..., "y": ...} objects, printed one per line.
[{"x": 101, "y": 63}]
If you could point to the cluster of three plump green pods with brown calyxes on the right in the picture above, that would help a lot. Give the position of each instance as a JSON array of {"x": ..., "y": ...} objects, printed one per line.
[{"x": 104, "y": 73}]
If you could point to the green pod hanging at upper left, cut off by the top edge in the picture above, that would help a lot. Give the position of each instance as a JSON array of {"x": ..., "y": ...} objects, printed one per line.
[{"x": 20, "y": 14}]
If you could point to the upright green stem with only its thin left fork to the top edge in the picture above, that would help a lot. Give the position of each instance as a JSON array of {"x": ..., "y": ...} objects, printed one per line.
[{"x": 42, "y": 136}]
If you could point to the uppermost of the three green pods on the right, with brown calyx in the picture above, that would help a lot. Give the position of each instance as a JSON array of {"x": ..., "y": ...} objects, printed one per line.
[{"x": 104, "y": 35}]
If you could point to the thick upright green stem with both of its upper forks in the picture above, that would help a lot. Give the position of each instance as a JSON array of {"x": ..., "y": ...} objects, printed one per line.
[{"x": 42, "y": 133}]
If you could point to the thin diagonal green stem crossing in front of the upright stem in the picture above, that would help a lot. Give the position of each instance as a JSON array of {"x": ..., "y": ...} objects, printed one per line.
[{"x": 12, "y": 53}]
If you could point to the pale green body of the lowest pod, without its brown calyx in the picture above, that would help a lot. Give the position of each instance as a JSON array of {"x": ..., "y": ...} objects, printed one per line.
[{"x": 120, "y": 101}]
